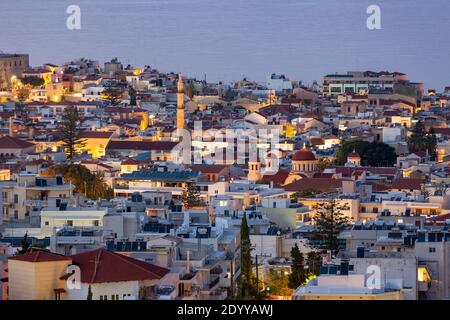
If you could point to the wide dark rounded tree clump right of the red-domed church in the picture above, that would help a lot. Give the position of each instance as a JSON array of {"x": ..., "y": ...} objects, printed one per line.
[{"x": 372, "y": 153}]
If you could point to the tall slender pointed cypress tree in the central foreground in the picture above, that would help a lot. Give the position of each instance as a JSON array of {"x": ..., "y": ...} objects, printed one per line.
[{"x": 247, "y": 288}]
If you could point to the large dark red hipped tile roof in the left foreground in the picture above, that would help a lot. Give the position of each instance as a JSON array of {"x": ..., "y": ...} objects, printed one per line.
[{"x": 101, "y": 265}]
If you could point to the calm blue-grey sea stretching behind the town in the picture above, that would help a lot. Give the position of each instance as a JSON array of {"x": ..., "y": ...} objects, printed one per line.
[{"x": 228, "y": 39}]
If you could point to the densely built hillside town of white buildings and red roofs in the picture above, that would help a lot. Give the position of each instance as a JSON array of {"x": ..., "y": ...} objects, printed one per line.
[{"x": 122, "y": 182}]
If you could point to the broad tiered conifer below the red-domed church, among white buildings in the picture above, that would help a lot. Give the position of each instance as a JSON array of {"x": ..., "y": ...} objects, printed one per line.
[{"x": 329, "y": 221}]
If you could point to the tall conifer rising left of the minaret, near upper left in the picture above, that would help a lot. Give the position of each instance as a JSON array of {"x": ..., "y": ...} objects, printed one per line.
[{"x": 71, "y": 130}]
